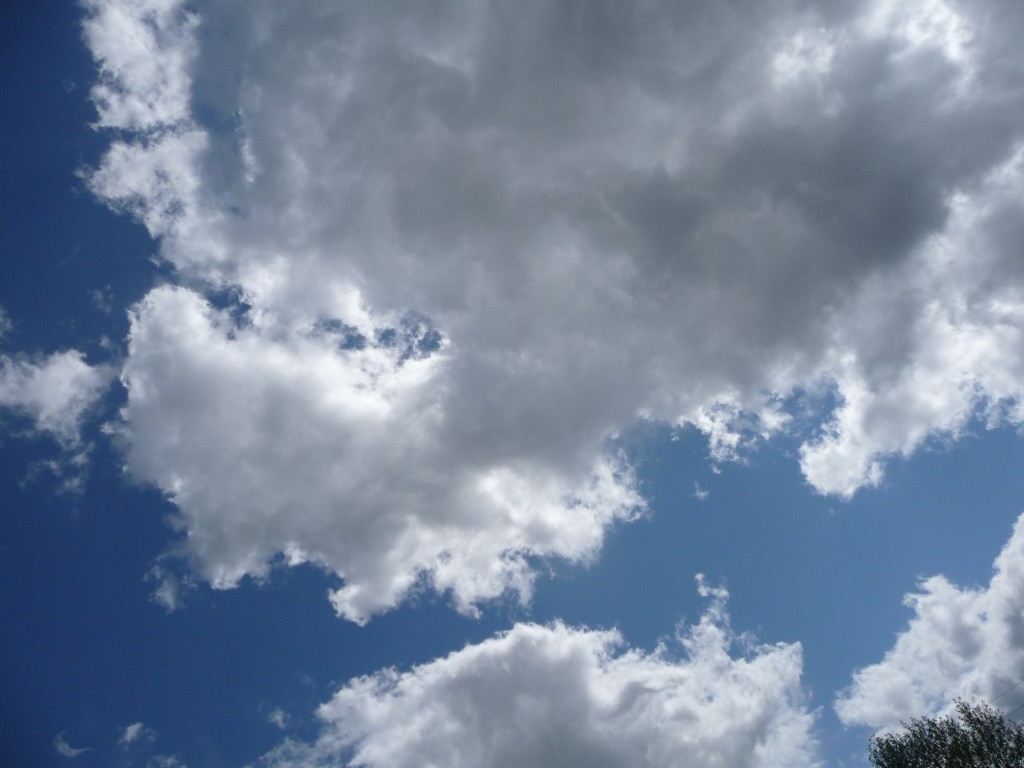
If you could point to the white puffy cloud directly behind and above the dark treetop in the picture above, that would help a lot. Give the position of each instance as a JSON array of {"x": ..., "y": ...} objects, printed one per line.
[{"x": 961, "y": 643}]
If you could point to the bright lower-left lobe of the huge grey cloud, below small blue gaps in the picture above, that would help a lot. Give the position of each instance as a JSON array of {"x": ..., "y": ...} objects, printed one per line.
[{"x": 355, "y": 434}]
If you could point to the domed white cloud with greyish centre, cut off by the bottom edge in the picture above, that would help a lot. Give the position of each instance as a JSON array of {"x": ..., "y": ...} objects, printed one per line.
[{"x": 563, "y": 697}]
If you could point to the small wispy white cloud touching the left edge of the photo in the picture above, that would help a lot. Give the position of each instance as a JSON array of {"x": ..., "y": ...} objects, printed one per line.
[{"x": 56, "y": 392}]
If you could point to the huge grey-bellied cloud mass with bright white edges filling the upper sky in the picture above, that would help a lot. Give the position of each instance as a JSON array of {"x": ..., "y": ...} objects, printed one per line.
[{"x": 435, "y": 257}]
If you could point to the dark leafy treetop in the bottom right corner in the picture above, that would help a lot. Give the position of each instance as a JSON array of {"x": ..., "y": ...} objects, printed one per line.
[{"x": 980, "y": 738}]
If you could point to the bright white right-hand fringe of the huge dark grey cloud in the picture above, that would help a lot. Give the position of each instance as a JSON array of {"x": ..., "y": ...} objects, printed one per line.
[{"x": 960, "y": 354}]
